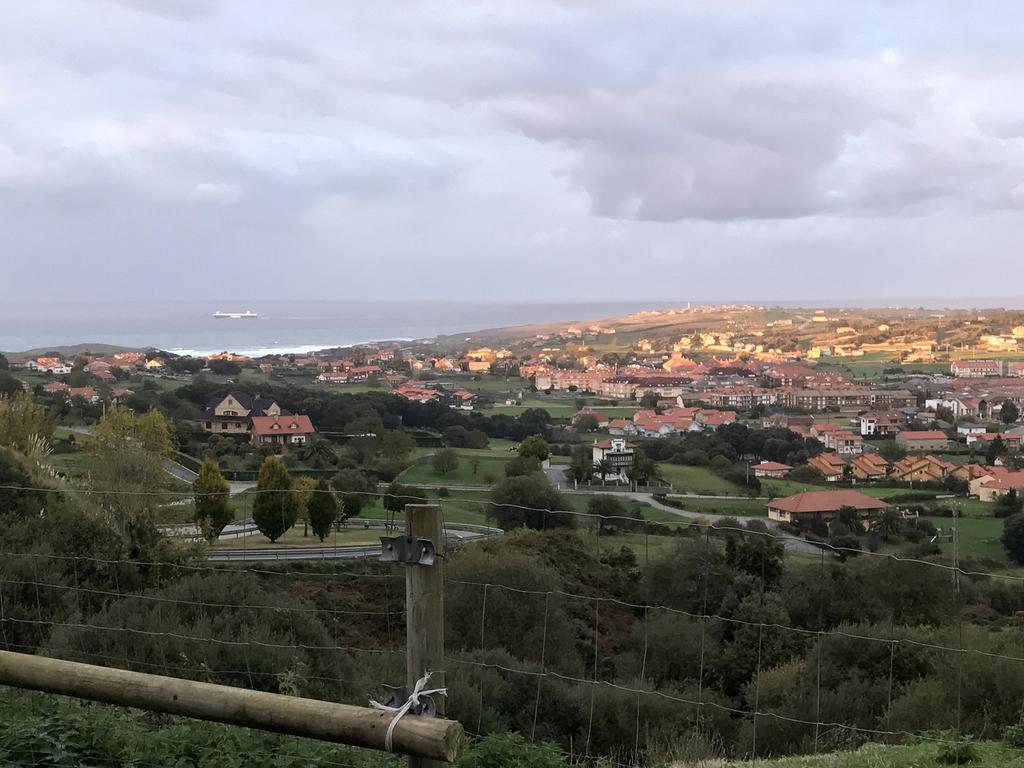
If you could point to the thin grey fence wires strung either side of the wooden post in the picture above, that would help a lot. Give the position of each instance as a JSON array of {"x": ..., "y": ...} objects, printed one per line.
[{"x": 641, "y": 691}]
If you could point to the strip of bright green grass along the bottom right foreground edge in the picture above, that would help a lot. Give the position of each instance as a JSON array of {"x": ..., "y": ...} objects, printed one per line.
[{"x": 990, "y": 755}]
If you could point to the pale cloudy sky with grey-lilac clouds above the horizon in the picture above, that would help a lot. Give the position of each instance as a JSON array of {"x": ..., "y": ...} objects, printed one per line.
[{"x": 326, "y": 149}]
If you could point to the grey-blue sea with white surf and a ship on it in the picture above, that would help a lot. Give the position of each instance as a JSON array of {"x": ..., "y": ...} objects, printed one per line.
[{"x": 283, "y": 327}]
